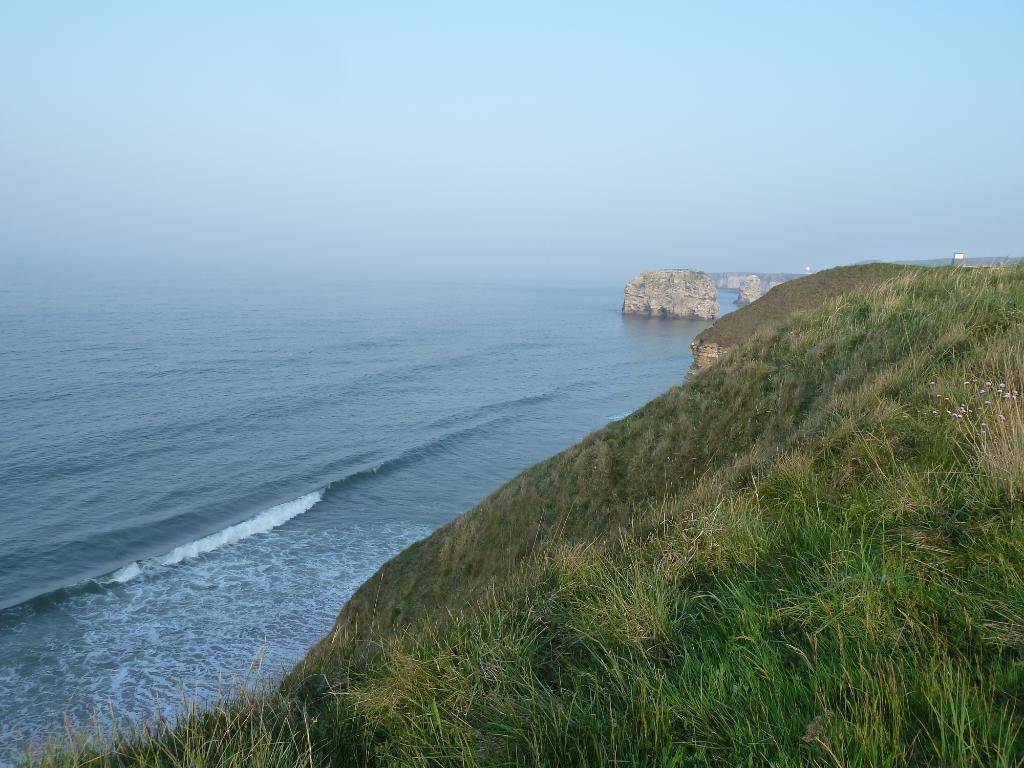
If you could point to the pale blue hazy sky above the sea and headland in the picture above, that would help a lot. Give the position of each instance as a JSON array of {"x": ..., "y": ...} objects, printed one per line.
[{"x": 536, "y": 139}]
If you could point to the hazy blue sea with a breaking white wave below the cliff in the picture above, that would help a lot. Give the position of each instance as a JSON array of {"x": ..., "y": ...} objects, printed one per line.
[{"x": 194, "y": 479}]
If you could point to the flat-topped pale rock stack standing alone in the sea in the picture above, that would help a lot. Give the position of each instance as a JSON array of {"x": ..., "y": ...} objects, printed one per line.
[{"x": 689, "y": 294}]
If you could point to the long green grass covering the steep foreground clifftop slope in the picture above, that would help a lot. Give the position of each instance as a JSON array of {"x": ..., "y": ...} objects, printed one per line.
[{"x": 791, "y": 561}]
